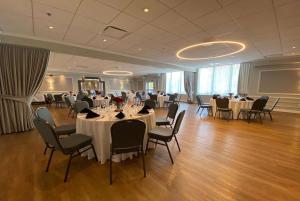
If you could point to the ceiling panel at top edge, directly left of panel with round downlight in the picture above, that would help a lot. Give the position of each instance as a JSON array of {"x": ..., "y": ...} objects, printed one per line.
[{"x": 97, "y": 11}]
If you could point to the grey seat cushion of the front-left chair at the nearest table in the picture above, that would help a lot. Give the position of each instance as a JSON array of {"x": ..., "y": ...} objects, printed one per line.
[{"x": 75, "y": 142}]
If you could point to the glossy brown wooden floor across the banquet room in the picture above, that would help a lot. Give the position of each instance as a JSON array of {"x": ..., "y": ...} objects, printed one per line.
[{"x": 220, "y": 160}]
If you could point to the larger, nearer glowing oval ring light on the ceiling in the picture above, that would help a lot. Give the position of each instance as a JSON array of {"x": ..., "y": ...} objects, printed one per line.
[{"x": 242, "y": 46}]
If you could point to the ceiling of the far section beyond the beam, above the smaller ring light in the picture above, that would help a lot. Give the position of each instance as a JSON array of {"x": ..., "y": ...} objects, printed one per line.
[{"x": 69, "y": 63}]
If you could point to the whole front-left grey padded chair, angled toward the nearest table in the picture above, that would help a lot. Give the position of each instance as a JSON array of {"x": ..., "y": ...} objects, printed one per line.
[{"x": 73, "y": 145}]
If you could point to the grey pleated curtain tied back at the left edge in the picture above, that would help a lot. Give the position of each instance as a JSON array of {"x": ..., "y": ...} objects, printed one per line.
[{"x": 22, "y": 70}]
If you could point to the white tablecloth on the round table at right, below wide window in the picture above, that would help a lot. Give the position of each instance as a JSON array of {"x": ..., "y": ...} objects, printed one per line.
[{"x": 235, "y": 104}]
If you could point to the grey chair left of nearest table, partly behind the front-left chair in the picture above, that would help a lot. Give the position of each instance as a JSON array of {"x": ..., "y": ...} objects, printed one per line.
[{"x": 44, "y": 114}]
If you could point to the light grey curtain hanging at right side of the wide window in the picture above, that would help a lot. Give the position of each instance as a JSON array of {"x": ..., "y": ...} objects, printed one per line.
[{"x": 244, "y": 78}]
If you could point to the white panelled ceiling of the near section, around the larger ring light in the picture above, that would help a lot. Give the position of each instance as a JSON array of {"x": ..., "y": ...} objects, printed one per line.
[{"x": 269, "y": 28}]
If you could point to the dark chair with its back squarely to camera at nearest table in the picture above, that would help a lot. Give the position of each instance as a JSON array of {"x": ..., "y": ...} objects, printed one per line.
[{"x": 127, "y": 136}]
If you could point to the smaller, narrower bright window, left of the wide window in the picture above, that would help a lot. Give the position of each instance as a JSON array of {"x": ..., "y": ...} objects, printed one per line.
[{"x": 175, "y": 82}]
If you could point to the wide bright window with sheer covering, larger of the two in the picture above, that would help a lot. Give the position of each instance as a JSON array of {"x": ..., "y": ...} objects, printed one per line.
[{"x": 218, "y": 79}]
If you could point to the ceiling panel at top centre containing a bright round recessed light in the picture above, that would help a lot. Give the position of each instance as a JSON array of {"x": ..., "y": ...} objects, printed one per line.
[{"x": 136, "y": 8}]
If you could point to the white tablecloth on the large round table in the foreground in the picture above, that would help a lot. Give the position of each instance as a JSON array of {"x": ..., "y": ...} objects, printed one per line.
[{"x": 99, "y": 129}]
